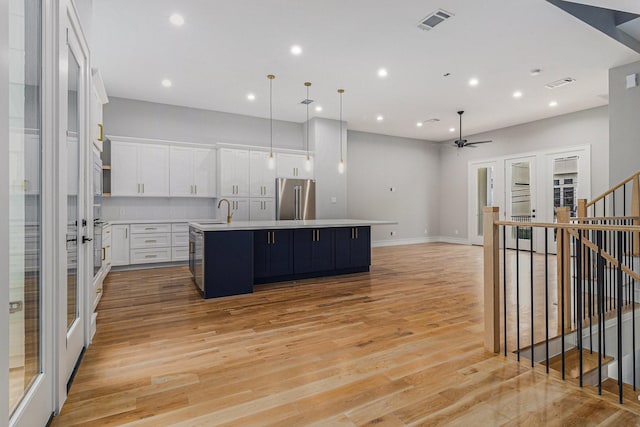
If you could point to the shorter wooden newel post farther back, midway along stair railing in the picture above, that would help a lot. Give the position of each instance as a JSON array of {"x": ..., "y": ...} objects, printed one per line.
[{"x": 564, "y": 268}]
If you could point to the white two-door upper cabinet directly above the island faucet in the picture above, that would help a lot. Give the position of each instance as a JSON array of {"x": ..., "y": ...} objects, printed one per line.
[{"x": 233, "y": 167}]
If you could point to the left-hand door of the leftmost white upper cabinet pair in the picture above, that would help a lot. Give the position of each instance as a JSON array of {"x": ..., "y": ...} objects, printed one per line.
[{"x": 124, "y": 169}]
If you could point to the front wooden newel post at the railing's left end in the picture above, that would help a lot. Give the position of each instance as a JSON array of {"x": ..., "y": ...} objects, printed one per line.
[{"x": 491, "y": 234}]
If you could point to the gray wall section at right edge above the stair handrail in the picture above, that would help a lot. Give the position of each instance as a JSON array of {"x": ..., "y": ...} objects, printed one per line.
[{"x": 624, "y": 119}]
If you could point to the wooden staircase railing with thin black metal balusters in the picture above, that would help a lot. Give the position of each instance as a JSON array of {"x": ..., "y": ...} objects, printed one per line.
[{"x": 591, "y": 279}]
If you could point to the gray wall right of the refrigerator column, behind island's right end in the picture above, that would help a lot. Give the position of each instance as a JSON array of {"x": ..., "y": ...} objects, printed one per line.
[{"x": 411, "y": 167}]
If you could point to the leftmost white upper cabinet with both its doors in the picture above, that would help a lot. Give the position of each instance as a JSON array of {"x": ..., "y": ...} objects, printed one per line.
[{"x": 139, "y": 169}]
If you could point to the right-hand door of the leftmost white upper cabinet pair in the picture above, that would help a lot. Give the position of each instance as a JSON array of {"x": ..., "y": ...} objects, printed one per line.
[{"x": 153, "y": 170}]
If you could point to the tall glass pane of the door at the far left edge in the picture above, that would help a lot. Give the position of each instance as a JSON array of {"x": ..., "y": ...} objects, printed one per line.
[{"x": 25, "y": 147}]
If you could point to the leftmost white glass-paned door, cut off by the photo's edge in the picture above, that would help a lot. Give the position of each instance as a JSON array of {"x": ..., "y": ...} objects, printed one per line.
[{"x": 26, "y": 278}]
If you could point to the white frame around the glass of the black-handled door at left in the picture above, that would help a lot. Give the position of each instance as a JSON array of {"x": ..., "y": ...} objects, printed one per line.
[{"x": 71, "y": 345}]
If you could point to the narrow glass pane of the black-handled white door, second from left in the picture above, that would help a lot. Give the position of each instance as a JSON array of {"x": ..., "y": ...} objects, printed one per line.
[{"x": 73, "y": 176}]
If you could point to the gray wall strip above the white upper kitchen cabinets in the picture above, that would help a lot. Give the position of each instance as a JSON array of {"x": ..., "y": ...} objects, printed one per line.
[{"x": 128, "y": 117}]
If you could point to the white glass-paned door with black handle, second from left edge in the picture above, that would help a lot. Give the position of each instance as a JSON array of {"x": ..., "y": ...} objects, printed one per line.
[{"x": 75, "y": 149}]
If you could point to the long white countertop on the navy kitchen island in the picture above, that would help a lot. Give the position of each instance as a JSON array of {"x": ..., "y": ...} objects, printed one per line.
[{"x": 286, "y": 224}]
